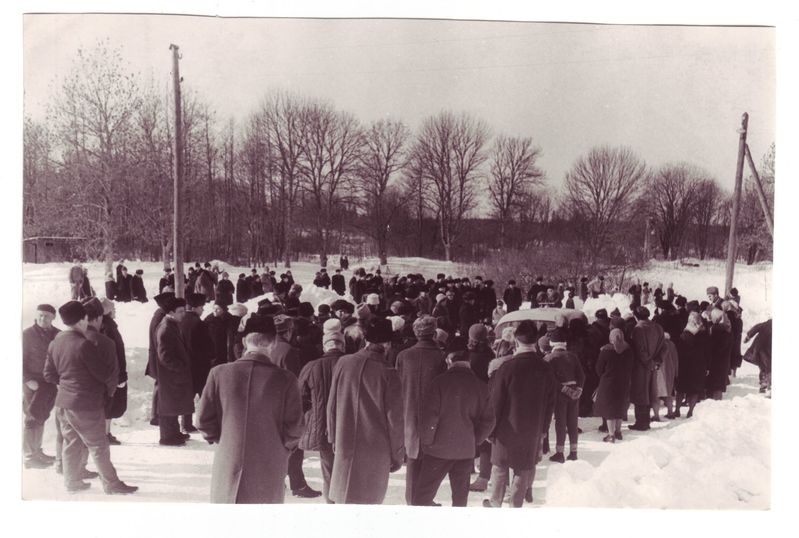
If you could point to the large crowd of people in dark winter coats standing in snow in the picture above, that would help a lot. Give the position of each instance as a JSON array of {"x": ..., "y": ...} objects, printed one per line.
[{"x": 405, "y": 371}]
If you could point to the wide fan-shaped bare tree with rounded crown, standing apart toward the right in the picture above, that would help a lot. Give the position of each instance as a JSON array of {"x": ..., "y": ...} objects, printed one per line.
[{"x": 599, "y": 189}]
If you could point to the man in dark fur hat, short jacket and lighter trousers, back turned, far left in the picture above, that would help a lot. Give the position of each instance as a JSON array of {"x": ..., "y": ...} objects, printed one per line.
[{"x": 84, "y": 381}]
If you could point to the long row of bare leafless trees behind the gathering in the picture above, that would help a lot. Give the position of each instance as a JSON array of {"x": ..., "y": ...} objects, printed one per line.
[{"x": 297, "y": 175}]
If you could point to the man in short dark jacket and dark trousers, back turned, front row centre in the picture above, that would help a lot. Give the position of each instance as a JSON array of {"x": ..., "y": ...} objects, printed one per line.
[{"x": 456, "y": 416}]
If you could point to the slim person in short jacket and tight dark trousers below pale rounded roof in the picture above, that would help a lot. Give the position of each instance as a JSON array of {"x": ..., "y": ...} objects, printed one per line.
[{"x": 569, "y": 373}]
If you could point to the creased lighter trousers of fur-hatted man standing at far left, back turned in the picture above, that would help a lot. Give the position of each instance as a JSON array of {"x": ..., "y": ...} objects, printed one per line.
[{"x": 84, "y": 431}]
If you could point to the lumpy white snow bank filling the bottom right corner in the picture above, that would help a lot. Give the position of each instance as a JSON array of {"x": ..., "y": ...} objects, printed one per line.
[{"x": 720, "y": 458}]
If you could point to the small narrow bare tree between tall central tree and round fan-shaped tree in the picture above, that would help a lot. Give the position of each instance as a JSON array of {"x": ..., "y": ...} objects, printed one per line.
[{"x": 513, "y": 175}]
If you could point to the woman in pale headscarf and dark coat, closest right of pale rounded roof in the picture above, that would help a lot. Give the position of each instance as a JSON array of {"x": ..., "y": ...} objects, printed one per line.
[{"x": 613, "y": 366}]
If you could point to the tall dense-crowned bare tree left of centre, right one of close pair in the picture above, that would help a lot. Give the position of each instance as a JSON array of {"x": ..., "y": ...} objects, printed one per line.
[{"x": 330, "y": 148}]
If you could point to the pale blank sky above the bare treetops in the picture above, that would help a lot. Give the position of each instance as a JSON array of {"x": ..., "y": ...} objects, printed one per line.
[{"x": 672, "y": 93}]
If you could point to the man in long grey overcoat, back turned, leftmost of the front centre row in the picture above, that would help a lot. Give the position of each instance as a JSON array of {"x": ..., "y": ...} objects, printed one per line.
[{"x": 252, "y": 410}]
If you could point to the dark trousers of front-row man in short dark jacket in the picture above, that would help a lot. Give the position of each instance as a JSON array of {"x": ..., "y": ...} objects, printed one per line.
[{"x": 432, "y": 472}]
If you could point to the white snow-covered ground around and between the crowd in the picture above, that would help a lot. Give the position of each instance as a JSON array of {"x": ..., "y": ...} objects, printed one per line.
[{"x": 721, "y": 458}]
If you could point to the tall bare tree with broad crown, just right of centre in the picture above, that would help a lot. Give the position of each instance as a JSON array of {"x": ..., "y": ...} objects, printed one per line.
[{"x": 448, "y": 154}]
